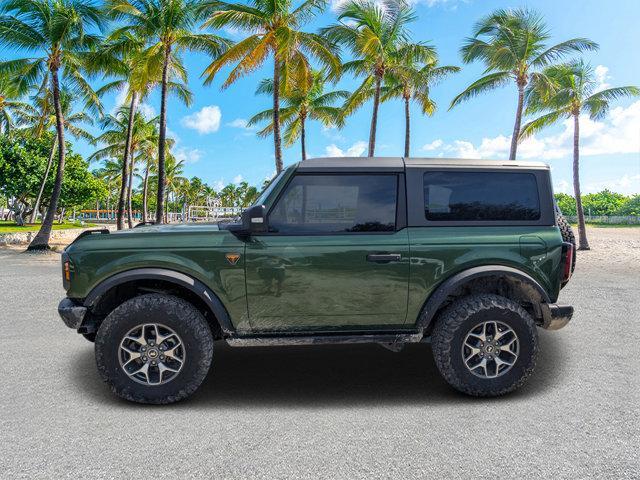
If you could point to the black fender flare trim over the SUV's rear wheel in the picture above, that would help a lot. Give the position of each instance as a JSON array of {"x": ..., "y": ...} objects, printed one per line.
[{"x": 440, "y": 294}]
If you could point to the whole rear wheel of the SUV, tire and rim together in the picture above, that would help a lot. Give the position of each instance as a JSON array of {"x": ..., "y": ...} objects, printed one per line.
[{"x": 485, "y": 345}]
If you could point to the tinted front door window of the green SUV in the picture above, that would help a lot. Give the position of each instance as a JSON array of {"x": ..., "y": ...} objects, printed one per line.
[{"x": 336, "y": 203}]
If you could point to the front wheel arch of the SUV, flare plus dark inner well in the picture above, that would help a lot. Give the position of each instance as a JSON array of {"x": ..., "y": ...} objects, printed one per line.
[{"x": 125, "y": 285}]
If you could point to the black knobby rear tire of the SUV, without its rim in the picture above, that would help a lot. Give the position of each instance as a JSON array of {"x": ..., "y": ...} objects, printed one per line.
[{"x": 458, "y": 319}]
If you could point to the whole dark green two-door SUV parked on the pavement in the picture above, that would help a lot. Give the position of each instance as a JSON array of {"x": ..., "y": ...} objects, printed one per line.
[{"x": 467, "y": 255}]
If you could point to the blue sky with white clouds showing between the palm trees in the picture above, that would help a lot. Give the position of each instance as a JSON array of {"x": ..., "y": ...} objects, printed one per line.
[{"x": 220, "y": 150}]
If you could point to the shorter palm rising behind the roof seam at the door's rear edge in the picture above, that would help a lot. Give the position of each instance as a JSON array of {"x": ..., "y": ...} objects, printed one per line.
[{"x": 411, "y": 79}]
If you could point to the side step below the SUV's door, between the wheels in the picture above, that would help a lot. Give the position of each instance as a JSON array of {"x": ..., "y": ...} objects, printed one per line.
[{"x": 326, "y": 339}]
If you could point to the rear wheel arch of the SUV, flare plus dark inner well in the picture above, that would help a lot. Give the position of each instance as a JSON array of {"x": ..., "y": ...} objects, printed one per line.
[{"x": 497, "y": 279}]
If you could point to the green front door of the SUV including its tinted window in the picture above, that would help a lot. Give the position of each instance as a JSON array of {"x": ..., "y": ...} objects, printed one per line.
[{"x": 335, "y": 256}]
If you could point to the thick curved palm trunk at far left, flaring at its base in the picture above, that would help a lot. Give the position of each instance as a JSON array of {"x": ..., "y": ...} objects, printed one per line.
[{"x": 41, "y": 240}]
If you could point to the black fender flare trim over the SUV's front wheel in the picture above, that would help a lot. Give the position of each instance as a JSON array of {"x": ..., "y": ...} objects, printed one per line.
[{"x": 171, "y": 276}]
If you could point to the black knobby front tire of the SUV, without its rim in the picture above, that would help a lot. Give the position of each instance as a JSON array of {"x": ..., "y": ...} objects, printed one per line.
[{"x": 179, "y": 315}]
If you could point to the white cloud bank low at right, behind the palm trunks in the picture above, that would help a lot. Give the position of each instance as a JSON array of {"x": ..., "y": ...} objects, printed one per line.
[{"x": 619, "y": 133}]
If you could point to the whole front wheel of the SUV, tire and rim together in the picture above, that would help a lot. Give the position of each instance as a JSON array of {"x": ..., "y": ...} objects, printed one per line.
[{"x": 154, "y": 349}]
